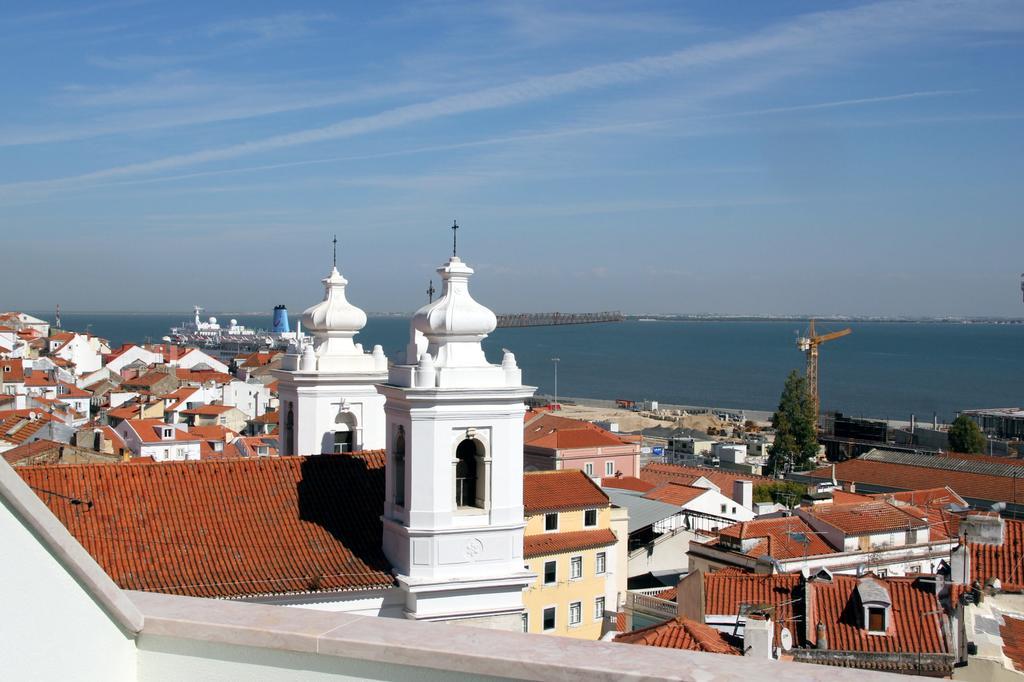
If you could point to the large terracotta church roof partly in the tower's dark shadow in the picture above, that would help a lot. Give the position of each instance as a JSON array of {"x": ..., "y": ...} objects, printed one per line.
[{"x": 232, "y": 528}]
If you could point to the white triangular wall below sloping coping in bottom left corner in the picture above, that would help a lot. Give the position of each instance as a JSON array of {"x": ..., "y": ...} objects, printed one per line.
[{"x": 53, "y": 629}]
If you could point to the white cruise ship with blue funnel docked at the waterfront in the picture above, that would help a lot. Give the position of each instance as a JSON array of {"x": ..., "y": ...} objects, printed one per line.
[{"x": 233, "y": 339}]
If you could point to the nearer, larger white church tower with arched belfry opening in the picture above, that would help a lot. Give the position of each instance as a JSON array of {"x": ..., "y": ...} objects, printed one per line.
[{"x": 453, "y": 513}]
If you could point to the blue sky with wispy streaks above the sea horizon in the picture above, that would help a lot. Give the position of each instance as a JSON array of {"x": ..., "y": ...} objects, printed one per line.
[{"x": 680, "y": 157}]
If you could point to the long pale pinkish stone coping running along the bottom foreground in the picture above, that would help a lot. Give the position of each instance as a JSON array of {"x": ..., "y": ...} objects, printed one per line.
[{"x": 448, "y": 647}]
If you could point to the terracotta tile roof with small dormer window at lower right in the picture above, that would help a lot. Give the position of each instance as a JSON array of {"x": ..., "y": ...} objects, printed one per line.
[{"x": 837, "y": 606}]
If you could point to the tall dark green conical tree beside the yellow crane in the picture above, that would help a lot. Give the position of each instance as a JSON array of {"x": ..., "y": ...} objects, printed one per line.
[{"x": 796, "y": 434}]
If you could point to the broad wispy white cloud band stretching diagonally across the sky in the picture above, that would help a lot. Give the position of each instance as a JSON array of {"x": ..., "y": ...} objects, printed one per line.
[{"x": 826, "y": 35}]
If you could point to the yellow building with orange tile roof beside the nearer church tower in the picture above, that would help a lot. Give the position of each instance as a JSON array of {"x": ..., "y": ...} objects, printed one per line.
[{"x": 570, "y": 544}]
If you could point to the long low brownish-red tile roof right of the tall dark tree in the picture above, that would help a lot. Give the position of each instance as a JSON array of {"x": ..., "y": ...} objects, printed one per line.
[{"x": 909, "y": 478}]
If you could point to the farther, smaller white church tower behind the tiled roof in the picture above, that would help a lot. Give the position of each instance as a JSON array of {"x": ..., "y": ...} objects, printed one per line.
[{"x": 329, "y": 400}]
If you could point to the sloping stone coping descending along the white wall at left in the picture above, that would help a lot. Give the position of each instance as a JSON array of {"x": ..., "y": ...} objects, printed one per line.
[{"x": 56, "y": 538}]
